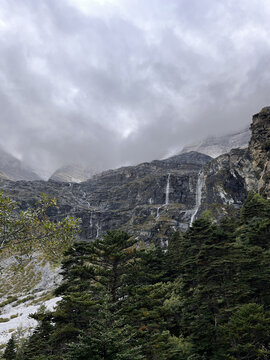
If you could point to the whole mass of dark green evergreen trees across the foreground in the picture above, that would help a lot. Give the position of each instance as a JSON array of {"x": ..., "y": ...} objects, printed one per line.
[{"x": 207, "y": 297}]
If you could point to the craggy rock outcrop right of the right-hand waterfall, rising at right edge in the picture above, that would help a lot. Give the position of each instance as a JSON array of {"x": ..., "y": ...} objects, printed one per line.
[{"x": 228, "y": 178}]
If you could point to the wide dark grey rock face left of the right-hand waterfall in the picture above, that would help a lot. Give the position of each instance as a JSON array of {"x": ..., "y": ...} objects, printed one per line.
[{"x": 150, "y": 200}]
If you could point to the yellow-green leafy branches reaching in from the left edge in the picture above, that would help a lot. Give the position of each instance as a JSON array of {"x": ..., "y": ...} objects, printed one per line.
[{"x": 23, "y": 232}]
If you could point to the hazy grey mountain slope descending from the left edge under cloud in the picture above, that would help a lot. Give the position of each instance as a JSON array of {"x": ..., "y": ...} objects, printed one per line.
[{"x": 14, "y": 169}]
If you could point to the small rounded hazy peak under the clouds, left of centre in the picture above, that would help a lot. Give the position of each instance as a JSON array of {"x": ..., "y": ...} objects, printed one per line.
[{"x": 72, "y": 173}]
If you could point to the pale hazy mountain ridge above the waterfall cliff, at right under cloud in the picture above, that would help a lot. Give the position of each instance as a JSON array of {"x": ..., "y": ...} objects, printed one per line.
[{"x": 215, "y": 146}]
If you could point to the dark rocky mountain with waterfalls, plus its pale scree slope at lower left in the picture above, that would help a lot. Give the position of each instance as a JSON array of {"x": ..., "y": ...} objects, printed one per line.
[{"x": 150, "y": 201}]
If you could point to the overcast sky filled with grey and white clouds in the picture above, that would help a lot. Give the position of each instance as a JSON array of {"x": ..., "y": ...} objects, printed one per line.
[{"x": 107, "y": 83}]
